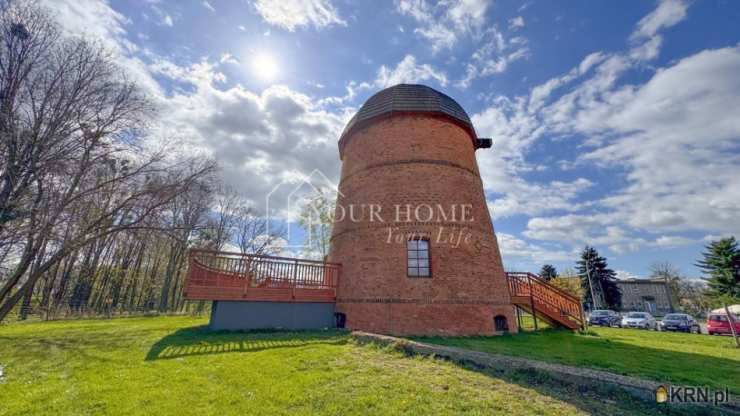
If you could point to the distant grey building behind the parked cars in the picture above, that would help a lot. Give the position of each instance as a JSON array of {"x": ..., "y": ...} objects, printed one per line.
[{"x": 646, "y": 295}]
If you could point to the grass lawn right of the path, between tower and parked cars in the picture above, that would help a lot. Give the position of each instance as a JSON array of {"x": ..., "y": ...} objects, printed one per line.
[{"x": 688, "y": 359}]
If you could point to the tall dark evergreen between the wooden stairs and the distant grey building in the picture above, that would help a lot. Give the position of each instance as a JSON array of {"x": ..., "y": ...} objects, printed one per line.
[{"x": 603, "y": 280}]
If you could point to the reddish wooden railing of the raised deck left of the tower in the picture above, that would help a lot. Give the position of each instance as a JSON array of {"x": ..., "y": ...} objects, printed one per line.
[{"x": 216, "y": 275}]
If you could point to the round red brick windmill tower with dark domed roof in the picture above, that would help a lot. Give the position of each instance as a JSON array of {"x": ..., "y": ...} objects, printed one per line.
[{"x": 412, "y": 230}]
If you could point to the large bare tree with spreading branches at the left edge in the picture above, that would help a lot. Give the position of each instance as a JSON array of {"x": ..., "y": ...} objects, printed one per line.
[{"x": 72, "y": 173}]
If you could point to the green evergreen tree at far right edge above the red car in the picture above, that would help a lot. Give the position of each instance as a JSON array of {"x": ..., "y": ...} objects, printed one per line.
[{"x": 721, "y": 263}]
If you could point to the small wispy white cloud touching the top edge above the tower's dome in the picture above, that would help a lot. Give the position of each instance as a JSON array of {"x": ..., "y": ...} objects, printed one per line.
[{"x": 444, "y": 23}]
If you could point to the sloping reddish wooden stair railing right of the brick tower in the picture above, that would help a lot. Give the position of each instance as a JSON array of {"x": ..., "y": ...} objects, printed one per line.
[{"x": 528, "y": 285}]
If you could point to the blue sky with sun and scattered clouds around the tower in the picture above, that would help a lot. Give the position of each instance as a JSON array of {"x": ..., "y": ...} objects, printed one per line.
[{"x": 615, "y": 124}]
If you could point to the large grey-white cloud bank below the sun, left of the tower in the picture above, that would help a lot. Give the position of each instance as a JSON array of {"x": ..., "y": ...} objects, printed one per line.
[{"x": 258, "y": 139}]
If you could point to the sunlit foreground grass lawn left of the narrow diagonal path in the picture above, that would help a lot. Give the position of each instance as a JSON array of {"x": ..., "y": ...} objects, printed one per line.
[{"x": 171, "y": 365}]
